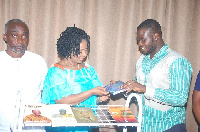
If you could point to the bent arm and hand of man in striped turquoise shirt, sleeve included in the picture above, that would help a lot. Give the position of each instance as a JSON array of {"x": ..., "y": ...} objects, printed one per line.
[{"x": 180, "y": 74}]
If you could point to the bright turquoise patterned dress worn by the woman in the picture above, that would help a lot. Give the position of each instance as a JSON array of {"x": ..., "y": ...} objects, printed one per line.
[{"x": 61, "y": 82}]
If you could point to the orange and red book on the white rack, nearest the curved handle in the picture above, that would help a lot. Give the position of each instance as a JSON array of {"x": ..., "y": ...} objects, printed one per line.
[{"x": 122, "y": 114}]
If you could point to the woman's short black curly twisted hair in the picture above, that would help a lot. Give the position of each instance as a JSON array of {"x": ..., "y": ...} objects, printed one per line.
[{"x": 69, "y": 42}]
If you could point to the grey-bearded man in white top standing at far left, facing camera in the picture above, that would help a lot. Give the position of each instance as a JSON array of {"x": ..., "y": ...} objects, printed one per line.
[{"x": 21, "y": 75}]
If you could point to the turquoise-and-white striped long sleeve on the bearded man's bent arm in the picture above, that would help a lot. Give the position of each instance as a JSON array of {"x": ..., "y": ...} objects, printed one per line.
[{"x": 180, "y": 74}]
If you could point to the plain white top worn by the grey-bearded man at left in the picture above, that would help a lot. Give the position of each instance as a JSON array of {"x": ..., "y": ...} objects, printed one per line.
[{"x": 21, "y": 81}]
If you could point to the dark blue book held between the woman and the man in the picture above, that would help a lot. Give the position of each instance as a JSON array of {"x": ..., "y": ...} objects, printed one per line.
[{"x": 115, "y": 88}]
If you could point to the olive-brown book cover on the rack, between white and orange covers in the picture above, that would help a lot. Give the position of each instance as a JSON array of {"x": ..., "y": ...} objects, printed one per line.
[{"x": 84, "y": 115}]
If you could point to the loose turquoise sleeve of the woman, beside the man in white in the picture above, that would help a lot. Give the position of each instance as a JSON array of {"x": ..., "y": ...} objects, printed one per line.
[{"x": 55, "y": 86}]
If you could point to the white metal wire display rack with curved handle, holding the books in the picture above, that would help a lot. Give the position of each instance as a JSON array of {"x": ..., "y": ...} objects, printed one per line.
[{"x": 103, "y": 116}]
